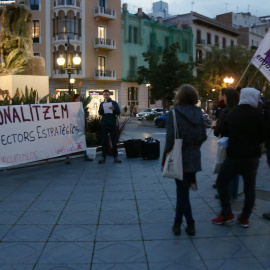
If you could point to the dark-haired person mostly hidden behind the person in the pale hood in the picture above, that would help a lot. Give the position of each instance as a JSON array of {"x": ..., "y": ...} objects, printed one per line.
[{"x": 231, "y": 99}]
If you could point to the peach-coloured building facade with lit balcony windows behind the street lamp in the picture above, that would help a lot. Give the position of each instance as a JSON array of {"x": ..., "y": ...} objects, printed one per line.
[{"x": 88, "y": 29}]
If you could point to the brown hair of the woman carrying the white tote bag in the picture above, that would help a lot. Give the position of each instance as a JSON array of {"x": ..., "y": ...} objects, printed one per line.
[{"x": 186, "y": 95}]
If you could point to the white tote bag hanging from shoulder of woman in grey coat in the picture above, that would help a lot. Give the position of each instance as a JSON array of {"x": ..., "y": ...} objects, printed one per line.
[{"x": 173, "y": 167}]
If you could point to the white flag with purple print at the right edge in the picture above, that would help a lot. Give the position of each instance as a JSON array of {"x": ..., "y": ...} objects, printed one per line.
[{"x": 261, "y": 58}]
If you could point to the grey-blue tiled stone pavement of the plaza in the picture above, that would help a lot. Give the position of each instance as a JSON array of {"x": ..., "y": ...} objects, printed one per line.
[{"x": 119, "y": 216}]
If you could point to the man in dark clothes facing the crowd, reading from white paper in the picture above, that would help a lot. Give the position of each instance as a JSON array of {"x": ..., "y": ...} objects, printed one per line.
[{"x": 108, "y": 125}]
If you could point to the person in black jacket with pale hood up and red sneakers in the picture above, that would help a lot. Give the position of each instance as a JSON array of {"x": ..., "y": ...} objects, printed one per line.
[{"x": 245, "y": 133}]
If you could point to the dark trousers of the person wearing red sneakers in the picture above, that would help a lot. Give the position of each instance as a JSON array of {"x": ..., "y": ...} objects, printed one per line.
[{"x": 247, "y": 167}]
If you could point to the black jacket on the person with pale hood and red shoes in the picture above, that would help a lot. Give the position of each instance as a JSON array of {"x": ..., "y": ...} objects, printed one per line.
[{"x": 245, "y": 132}]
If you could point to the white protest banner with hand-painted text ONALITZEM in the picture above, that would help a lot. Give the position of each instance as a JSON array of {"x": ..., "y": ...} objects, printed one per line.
[{"x": 40, "y": 131}]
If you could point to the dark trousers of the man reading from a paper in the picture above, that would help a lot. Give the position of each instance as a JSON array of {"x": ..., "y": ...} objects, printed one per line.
[{"x": 105, "y": 130}]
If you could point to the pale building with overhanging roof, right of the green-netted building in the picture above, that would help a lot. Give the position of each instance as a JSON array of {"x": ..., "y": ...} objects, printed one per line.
[{"x": 207, "y": 33}]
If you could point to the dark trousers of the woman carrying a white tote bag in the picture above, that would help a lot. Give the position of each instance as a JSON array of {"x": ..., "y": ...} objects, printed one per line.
[{"x": 183, "y": 207}]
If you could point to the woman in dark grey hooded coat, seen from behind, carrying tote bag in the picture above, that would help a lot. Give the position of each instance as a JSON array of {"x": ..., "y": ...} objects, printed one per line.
[{"x": 192, "y": 131}]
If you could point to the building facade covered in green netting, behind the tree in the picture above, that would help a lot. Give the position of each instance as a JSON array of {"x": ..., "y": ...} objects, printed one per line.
[{"x": 140, "y": 34}]
